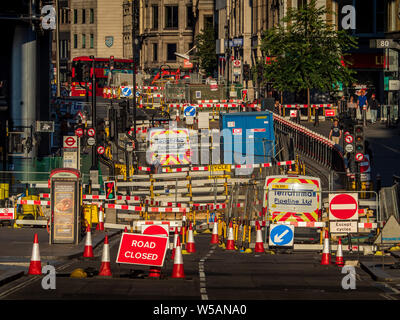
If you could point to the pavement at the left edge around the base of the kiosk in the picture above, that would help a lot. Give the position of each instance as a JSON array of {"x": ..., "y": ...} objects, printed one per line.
[{"x": 15, "y": 256}]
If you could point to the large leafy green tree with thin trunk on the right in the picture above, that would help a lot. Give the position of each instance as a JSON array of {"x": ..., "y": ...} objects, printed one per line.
[{"x": 306, "y": 52}]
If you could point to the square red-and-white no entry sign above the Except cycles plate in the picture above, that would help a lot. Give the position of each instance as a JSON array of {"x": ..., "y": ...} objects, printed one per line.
[{"x": 343, "y": 206}]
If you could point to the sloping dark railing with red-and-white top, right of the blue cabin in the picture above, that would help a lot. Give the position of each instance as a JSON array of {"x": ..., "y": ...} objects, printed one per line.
[{"x": 311, "y": 144}]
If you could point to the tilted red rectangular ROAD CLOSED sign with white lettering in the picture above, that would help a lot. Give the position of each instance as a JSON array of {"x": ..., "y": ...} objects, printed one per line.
[{"x": 140, "y": 249}]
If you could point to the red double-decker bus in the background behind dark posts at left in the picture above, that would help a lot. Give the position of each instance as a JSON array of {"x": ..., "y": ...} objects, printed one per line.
[{"x": 81, "y": 73}]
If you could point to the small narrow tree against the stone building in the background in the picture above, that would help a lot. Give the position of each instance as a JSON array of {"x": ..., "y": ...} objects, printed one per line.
[{"x": 206, "y": 51}]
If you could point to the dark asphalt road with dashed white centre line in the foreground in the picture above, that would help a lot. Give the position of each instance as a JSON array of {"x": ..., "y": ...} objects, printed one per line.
[{"x": 211, "y": 274}]
